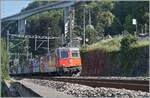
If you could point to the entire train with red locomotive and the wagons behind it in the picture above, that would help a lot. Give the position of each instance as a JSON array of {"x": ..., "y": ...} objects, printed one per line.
[{"x": 62, "y": 61}]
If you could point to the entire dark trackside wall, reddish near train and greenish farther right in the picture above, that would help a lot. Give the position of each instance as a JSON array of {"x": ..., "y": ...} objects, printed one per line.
[{"x": 101, "y": 63}]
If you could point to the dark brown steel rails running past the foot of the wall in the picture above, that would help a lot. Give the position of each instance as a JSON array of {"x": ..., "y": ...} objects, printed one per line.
[{"x": 142, "y": 85}]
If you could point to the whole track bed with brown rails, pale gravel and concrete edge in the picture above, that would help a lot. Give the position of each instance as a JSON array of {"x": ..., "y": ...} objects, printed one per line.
[{"x": 106, "y": 87}]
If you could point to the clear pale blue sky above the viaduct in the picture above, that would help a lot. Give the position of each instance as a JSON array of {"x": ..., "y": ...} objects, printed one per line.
[{"x": 11, "y": 7}]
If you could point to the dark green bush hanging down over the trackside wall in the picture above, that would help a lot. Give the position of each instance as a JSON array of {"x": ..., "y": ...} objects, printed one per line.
[{"x": 128, "y": 54}]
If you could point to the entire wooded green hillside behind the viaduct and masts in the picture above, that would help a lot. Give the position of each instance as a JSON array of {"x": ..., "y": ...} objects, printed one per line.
[{"x": 106, "y": 17}]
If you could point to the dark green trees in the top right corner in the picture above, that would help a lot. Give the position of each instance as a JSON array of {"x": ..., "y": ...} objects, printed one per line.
[{"x": 135, "y": 9}]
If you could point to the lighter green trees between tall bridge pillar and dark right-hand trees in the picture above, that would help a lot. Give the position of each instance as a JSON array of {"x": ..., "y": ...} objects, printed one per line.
[{"x": 101, "y": 17}]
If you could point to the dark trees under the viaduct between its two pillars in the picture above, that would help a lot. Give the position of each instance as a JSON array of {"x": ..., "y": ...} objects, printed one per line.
[{"x": 38, "y": 25}]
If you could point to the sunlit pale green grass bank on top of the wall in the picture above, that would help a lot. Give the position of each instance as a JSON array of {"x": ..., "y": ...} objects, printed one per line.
[{"x": 114, "y": 44}]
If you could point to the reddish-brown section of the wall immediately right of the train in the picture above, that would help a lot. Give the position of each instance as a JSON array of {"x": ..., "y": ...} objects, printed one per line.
[{"x": 93, "y": 62}]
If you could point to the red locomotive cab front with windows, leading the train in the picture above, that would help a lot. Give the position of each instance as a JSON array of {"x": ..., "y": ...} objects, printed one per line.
[{"x": 68, "y": 59}]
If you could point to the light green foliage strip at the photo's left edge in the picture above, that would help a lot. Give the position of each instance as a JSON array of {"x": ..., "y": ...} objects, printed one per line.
[{"x": 4, "y": 60}]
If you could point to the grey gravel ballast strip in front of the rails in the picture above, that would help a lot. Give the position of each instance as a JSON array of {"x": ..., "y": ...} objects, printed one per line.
[{"x": 87, "y": 91}]
